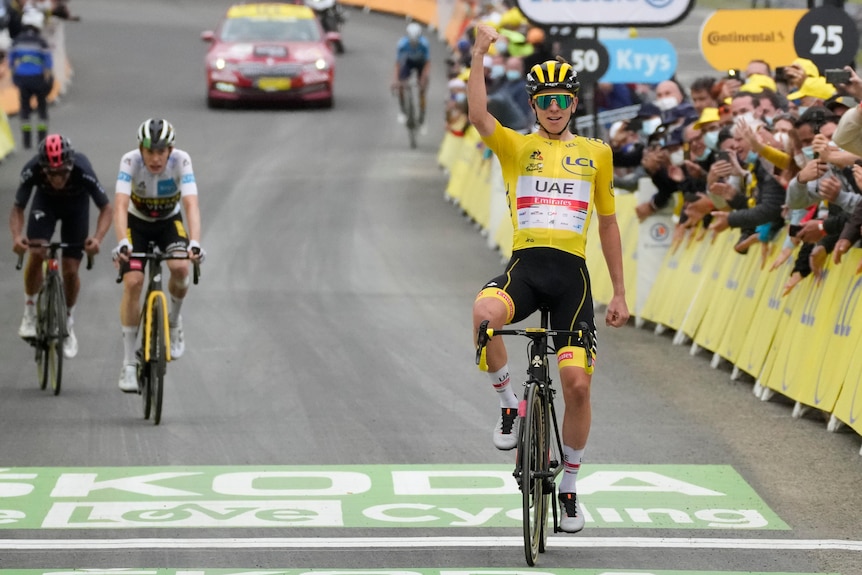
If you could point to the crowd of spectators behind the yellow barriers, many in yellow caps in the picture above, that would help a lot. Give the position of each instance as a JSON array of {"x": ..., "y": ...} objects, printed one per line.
[{"x": 752, "y": 149}]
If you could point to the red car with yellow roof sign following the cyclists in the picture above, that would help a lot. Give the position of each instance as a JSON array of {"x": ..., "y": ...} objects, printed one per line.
[{"x": 271, "y": 52}]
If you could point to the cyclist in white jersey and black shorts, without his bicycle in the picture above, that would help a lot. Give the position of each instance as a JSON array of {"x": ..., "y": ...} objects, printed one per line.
[{"x": 155, "y": 185}]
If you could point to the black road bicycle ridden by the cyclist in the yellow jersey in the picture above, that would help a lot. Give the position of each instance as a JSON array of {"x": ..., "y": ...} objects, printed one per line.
[{"x": 539, "y": 458}]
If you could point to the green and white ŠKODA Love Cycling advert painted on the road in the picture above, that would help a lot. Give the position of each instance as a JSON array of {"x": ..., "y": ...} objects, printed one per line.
[{"x": 653, "y": 496}]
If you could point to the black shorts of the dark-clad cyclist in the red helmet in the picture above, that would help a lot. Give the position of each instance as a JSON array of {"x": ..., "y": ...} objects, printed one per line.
[{"x": 72, "y": 210}]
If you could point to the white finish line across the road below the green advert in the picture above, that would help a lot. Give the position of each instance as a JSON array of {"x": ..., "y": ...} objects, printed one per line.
[{"x": 424, "y": 542}]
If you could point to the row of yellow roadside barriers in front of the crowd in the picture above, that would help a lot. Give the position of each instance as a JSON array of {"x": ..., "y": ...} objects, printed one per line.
[{"x": 806, "y": 345}]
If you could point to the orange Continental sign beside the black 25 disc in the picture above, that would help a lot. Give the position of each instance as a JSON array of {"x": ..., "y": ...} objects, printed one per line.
[{"x": 732, "y": 38}]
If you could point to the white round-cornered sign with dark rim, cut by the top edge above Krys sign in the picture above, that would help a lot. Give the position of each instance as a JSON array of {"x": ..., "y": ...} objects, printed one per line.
[{"x": 645, "y": 13}]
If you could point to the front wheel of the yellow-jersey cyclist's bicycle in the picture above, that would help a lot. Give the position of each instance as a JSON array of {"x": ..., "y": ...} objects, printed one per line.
[{"x": 533, "y": 454}]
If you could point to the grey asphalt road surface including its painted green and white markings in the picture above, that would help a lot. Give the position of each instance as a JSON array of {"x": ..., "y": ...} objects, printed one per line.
[{"x": 327, "y": 414}]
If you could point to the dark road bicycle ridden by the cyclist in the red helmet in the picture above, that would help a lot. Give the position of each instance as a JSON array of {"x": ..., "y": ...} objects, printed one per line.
[{"x": 51, "y": 312}]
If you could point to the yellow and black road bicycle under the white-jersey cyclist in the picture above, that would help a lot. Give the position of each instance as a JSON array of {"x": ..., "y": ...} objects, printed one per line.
[{"x": 154, "y": 352}]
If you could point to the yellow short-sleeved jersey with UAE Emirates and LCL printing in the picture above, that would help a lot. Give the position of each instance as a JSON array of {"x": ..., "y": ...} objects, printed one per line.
[{"x": 553, "y": 186}]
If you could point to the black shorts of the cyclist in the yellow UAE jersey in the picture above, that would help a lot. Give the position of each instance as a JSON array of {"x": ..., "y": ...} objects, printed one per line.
[{"x": 547, "y": 278}]
